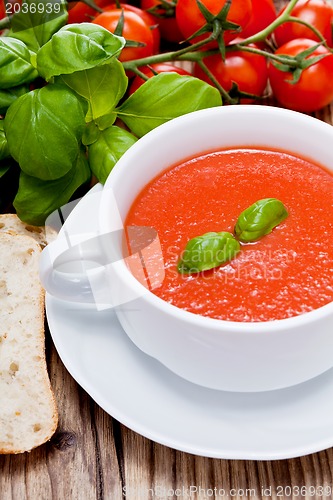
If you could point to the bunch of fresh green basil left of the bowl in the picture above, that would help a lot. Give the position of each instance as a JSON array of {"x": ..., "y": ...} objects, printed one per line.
[{"x": 75, "y": 120}]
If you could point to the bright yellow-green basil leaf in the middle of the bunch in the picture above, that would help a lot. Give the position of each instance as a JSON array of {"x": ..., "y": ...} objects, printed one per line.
[{"x": 102, "y": 87}]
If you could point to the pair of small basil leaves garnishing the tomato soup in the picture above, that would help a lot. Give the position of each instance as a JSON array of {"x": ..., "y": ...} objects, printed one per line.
[{"x": 213, "y": 249}]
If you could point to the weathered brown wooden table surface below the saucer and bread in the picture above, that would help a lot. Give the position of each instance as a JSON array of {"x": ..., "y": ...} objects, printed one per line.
[{"x": 93, "y": 456}]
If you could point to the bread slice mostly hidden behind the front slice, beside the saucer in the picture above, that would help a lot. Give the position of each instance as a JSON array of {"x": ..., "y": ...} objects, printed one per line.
[{"x": 11, "y": 223}]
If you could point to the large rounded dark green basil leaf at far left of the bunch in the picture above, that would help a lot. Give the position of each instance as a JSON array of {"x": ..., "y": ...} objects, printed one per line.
[{"x": 44, "y": 130}]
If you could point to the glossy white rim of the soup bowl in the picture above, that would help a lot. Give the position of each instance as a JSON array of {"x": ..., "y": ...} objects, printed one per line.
[{"x": 119, "y": 170}]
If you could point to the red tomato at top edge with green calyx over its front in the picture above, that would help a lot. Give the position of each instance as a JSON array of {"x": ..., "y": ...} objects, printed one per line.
[{"x": 190, "y": 19}]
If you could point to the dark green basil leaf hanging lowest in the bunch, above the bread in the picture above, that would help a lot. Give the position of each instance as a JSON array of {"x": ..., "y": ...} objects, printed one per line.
[{"x": 37, "y": 199}]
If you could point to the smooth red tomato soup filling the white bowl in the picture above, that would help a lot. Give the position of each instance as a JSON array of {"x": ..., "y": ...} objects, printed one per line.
[{"x": 286, "y": 273}]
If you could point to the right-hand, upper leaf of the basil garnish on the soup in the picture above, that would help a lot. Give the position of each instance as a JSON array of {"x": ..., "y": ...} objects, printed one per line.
[{"x": 260, "y": 219}]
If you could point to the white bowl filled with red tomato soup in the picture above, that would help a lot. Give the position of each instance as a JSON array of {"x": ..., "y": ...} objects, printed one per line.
[{"x": 264, "y": 320}]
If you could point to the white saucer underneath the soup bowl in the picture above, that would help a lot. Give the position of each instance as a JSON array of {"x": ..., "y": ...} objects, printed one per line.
[{"x": 149, "y": 399}]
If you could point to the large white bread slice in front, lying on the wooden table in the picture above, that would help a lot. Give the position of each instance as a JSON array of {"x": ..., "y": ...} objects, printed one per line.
[{"x": 28, "y": 413}]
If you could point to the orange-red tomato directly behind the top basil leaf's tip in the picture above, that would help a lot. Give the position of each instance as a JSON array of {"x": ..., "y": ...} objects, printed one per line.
[{"x": 134, "y": 29}]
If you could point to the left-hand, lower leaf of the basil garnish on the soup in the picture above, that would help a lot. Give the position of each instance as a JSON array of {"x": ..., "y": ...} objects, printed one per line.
[{"x": 208, "y": 251}]
